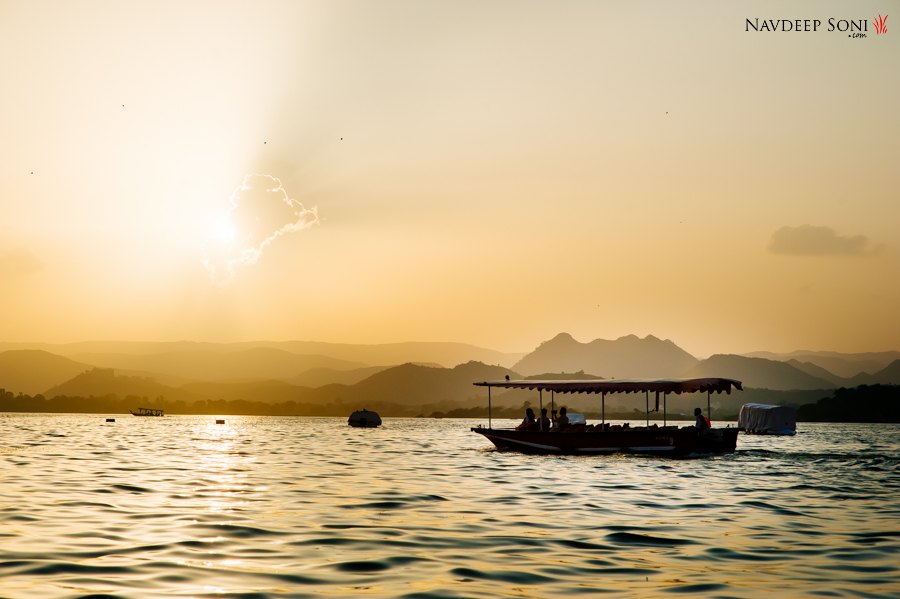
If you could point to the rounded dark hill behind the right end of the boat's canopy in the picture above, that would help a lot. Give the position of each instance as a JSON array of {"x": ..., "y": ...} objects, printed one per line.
[{"x": 757, "y": 372}]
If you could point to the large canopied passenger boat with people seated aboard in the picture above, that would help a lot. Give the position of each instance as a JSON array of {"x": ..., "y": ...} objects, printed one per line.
[{"x": 604, "y": 438}]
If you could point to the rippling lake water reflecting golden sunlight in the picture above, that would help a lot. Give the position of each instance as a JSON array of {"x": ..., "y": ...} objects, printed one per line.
[{"x": 309, "y": 507}]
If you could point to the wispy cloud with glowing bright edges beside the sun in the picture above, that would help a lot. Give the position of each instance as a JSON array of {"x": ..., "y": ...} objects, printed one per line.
[{"x": 261, "y": 212}]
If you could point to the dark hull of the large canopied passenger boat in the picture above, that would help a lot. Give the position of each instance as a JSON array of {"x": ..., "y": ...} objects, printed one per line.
[{"x": 667, "y": 441}]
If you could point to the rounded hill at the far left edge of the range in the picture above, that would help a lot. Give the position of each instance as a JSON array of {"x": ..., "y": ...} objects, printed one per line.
[{"x": 33, "y": 371}]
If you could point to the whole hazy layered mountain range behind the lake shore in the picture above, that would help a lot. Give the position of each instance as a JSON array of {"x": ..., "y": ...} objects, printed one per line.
[{"x": 407, "y": 374}]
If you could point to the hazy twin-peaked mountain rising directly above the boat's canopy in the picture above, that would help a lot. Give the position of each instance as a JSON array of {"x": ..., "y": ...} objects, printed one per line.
[{"x": 626, "y": 357}]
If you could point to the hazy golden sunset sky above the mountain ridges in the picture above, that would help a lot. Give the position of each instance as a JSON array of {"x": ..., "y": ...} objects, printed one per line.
[{"x": 487, "y": 172}]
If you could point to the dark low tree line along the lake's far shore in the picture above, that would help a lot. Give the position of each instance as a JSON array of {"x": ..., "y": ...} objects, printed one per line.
[{"x": 865, "y": 403}]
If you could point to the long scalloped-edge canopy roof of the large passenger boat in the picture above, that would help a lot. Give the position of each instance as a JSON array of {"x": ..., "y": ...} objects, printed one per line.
[{"x": 678, "y": 386}]
